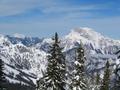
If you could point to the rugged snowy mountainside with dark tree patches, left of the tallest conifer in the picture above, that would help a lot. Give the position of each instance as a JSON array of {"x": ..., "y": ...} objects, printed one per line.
[{"x": 22, "y": 63}]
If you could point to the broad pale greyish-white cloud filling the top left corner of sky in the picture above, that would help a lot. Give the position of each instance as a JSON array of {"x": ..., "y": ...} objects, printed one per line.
[{"x": 14, "y": 7}]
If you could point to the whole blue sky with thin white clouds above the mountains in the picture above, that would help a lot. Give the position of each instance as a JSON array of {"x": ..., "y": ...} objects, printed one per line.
[{"x": 44, "y": 17}]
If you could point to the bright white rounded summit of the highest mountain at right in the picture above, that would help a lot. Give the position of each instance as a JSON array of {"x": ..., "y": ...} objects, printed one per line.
[{"x": 88, "y": 35}]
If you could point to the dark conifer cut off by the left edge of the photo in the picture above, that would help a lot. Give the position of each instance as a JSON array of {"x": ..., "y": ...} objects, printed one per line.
[{"x": 2, "y": 77}]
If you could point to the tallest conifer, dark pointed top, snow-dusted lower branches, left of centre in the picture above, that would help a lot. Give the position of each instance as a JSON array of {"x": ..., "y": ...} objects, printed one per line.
[{"x": 54, "y": 79}]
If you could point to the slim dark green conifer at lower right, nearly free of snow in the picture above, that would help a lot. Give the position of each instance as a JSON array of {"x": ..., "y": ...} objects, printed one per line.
[{"x": 106, "y": 78}]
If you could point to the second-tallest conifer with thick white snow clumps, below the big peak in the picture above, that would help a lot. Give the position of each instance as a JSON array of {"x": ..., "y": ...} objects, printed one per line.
[{"x": 79, "y": 79}]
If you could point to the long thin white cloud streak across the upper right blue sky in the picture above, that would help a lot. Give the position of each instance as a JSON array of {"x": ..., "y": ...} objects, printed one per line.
[{"x": 78, "y": 8}]
